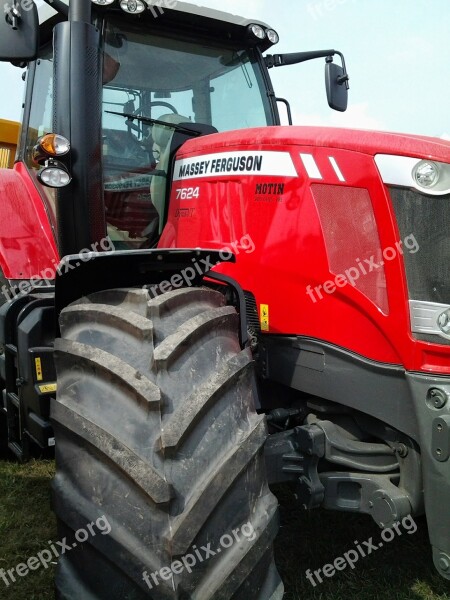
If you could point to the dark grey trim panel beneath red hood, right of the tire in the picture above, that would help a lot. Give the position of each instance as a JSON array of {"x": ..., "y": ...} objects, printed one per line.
[{"x": 328, "y": 371}]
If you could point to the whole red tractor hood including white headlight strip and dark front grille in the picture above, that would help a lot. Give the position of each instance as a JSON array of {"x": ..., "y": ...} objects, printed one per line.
[{"x": 316, "y": 200}]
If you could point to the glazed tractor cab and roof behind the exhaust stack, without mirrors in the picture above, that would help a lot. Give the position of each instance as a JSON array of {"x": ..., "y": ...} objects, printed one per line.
[{"x": 192, "y": 66}]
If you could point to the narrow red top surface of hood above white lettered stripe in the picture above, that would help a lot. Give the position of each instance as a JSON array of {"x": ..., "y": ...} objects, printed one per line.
[{"x": 364, "y": 141}]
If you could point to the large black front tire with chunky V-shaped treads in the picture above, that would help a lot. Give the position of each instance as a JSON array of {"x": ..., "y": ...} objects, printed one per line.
[{"x": 156, "y": 431}]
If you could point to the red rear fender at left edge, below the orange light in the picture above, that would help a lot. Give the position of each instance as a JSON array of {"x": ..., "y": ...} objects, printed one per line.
[{"x": 27, "y": 244}]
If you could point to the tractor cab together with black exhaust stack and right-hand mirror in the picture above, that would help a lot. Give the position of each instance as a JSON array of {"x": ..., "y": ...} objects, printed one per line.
[{"x": 151, "y": 72}]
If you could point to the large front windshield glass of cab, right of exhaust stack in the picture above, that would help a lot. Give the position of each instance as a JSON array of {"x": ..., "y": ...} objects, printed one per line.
[{"x": 174, "y": 81}]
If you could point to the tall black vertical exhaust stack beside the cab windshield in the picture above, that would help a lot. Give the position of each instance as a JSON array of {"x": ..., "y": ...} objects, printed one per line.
[{"x": 77, "y": 116}]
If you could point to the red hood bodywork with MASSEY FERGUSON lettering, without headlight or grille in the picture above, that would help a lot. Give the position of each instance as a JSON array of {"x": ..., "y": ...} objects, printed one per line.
[{"x": 278, "y": 233}]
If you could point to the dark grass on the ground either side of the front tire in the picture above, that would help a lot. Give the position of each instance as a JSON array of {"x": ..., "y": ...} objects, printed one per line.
[{"x": 401, "y": 570}]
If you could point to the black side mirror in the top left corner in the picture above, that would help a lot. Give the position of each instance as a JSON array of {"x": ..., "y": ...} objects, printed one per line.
[{"x": 19, "y": 30}]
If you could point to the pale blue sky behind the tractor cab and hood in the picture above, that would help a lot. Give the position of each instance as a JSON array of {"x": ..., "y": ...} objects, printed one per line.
[{"x": 397, "y": 54}]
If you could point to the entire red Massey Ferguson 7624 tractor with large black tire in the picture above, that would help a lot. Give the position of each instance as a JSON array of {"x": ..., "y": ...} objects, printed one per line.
[{"x": 237, "y": 303}]
